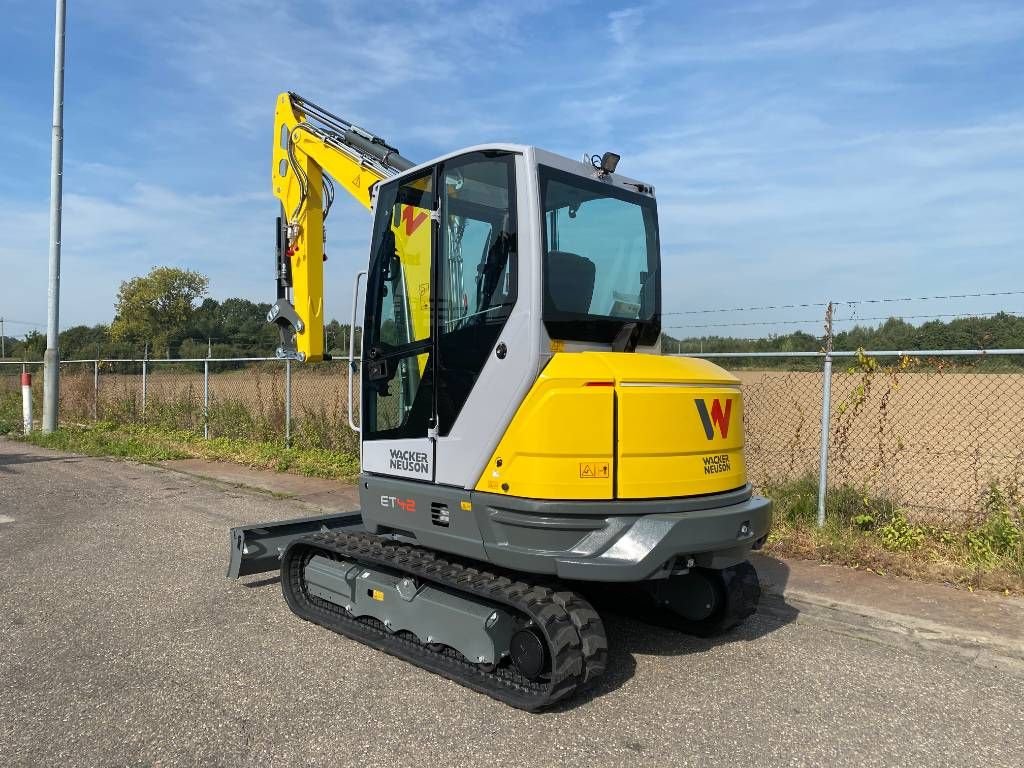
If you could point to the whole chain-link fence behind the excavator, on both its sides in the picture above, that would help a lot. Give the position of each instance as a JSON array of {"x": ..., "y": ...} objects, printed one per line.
[{"x": 932, "y": 433}]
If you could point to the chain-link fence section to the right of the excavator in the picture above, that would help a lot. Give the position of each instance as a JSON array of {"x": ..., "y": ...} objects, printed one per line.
[{"x": 934, "y": 434}]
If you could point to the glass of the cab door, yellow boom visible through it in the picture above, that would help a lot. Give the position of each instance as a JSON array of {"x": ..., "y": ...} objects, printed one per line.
[{"x": 398, "y": 395}]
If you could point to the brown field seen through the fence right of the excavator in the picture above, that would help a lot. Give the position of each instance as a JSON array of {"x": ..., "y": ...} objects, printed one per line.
[{"x": 931, "y": 440}]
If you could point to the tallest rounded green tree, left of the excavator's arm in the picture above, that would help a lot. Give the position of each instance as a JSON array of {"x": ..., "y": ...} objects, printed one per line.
[{"x": 158, "y": 308}]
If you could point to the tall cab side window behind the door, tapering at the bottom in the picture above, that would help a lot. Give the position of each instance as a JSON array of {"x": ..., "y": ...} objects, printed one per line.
[{"x": 479, "y": 262}]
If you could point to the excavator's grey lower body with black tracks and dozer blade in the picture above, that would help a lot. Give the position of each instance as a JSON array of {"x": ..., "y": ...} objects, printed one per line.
[{"x": 519, "y": 623}]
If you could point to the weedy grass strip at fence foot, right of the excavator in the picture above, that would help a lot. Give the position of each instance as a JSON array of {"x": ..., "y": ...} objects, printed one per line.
[{"x": 875, "y": 534}]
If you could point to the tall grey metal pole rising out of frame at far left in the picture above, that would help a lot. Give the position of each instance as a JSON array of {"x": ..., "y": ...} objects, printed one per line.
[{"x": 52, "y": 386}]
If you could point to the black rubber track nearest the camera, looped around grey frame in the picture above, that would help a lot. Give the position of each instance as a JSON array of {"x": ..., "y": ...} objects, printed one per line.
[{"x": 574, "y": 632}]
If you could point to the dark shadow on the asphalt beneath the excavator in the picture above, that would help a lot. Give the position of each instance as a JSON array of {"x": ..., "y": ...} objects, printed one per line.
[{"x": 630, "y": 634}]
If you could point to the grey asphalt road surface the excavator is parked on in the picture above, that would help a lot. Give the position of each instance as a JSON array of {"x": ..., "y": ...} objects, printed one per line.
[{"x": 122, "y": 644}]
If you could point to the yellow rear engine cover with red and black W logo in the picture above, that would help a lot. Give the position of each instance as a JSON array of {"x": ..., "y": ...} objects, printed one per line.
[{"x": 608, "y": 425}]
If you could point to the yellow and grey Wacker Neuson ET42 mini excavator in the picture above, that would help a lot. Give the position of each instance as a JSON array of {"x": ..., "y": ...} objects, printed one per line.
[{"x": 525, "y": 447}]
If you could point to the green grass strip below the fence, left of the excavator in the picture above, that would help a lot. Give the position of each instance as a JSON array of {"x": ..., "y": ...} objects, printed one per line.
[{"x": 149, "y": 444}]
